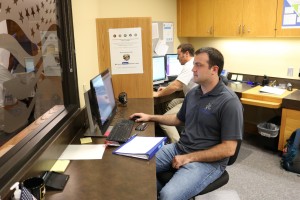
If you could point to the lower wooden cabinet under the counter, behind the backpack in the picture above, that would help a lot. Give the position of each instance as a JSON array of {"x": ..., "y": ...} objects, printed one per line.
[{"x": 290, "y": 121}]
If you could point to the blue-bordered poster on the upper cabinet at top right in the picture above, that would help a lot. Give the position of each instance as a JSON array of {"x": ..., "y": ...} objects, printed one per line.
[{"x": 291, "y": 14}]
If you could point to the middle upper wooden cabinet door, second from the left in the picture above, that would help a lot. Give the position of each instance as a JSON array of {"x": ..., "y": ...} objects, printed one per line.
[{"x": 228, "y": 18}]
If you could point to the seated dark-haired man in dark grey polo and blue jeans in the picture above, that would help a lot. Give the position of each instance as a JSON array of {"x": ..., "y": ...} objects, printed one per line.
[{"x": 213, "y": 118}]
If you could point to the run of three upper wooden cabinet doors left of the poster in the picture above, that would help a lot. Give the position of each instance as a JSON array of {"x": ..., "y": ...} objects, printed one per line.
[{"x": 230, "y": 18}]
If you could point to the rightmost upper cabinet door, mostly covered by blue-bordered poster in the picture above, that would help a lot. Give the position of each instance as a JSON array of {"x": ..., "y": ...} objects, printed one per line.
[{"x": 286, "y": 32}]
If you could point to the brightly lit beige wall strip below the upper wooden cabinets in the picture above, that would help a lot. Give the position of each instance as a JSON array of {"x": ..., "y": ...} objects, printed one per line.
[{"x": 268, "y": 56}]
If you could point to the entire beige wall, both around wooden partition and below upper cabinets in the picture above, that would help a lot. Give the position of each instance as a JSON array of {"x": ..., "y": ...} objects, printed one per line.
[{"x": 269, "y": 56}]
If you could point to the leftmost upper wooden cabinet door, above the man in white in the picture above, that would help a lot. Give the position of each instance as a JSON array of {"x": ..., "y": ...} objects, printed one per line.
[{"x": 195, "y": 18}]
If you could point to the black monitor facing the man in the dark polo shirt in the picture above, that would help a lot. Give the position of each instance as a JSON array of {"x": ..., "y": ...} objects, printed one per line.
[{"x": 103, "y": 99}]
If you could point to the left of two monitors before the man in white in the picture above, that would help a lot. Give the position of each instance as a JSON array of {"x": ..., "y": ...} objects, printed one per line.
[{"x": 159, "y": 71}]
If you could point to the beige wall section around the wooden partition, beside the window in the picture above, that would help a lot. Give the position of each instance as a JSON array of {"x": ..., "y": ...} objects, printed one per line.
[{"x": 84, "y": 19}]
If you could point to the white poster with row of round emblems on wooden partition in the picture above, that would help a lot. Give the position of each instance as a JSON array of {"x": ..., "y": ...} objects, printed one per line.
[{"x": 126, "y": 50}]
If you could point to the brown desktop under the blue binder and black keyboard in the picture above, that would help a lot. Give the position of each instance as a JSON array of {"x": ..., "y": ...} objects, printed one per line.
[{"x": 113, "y": 177}]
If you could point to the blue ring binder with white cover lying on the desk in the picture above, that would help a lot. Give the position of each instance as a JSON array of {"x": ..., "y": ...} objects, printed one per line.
[{"x": 141, "y": 147}]
